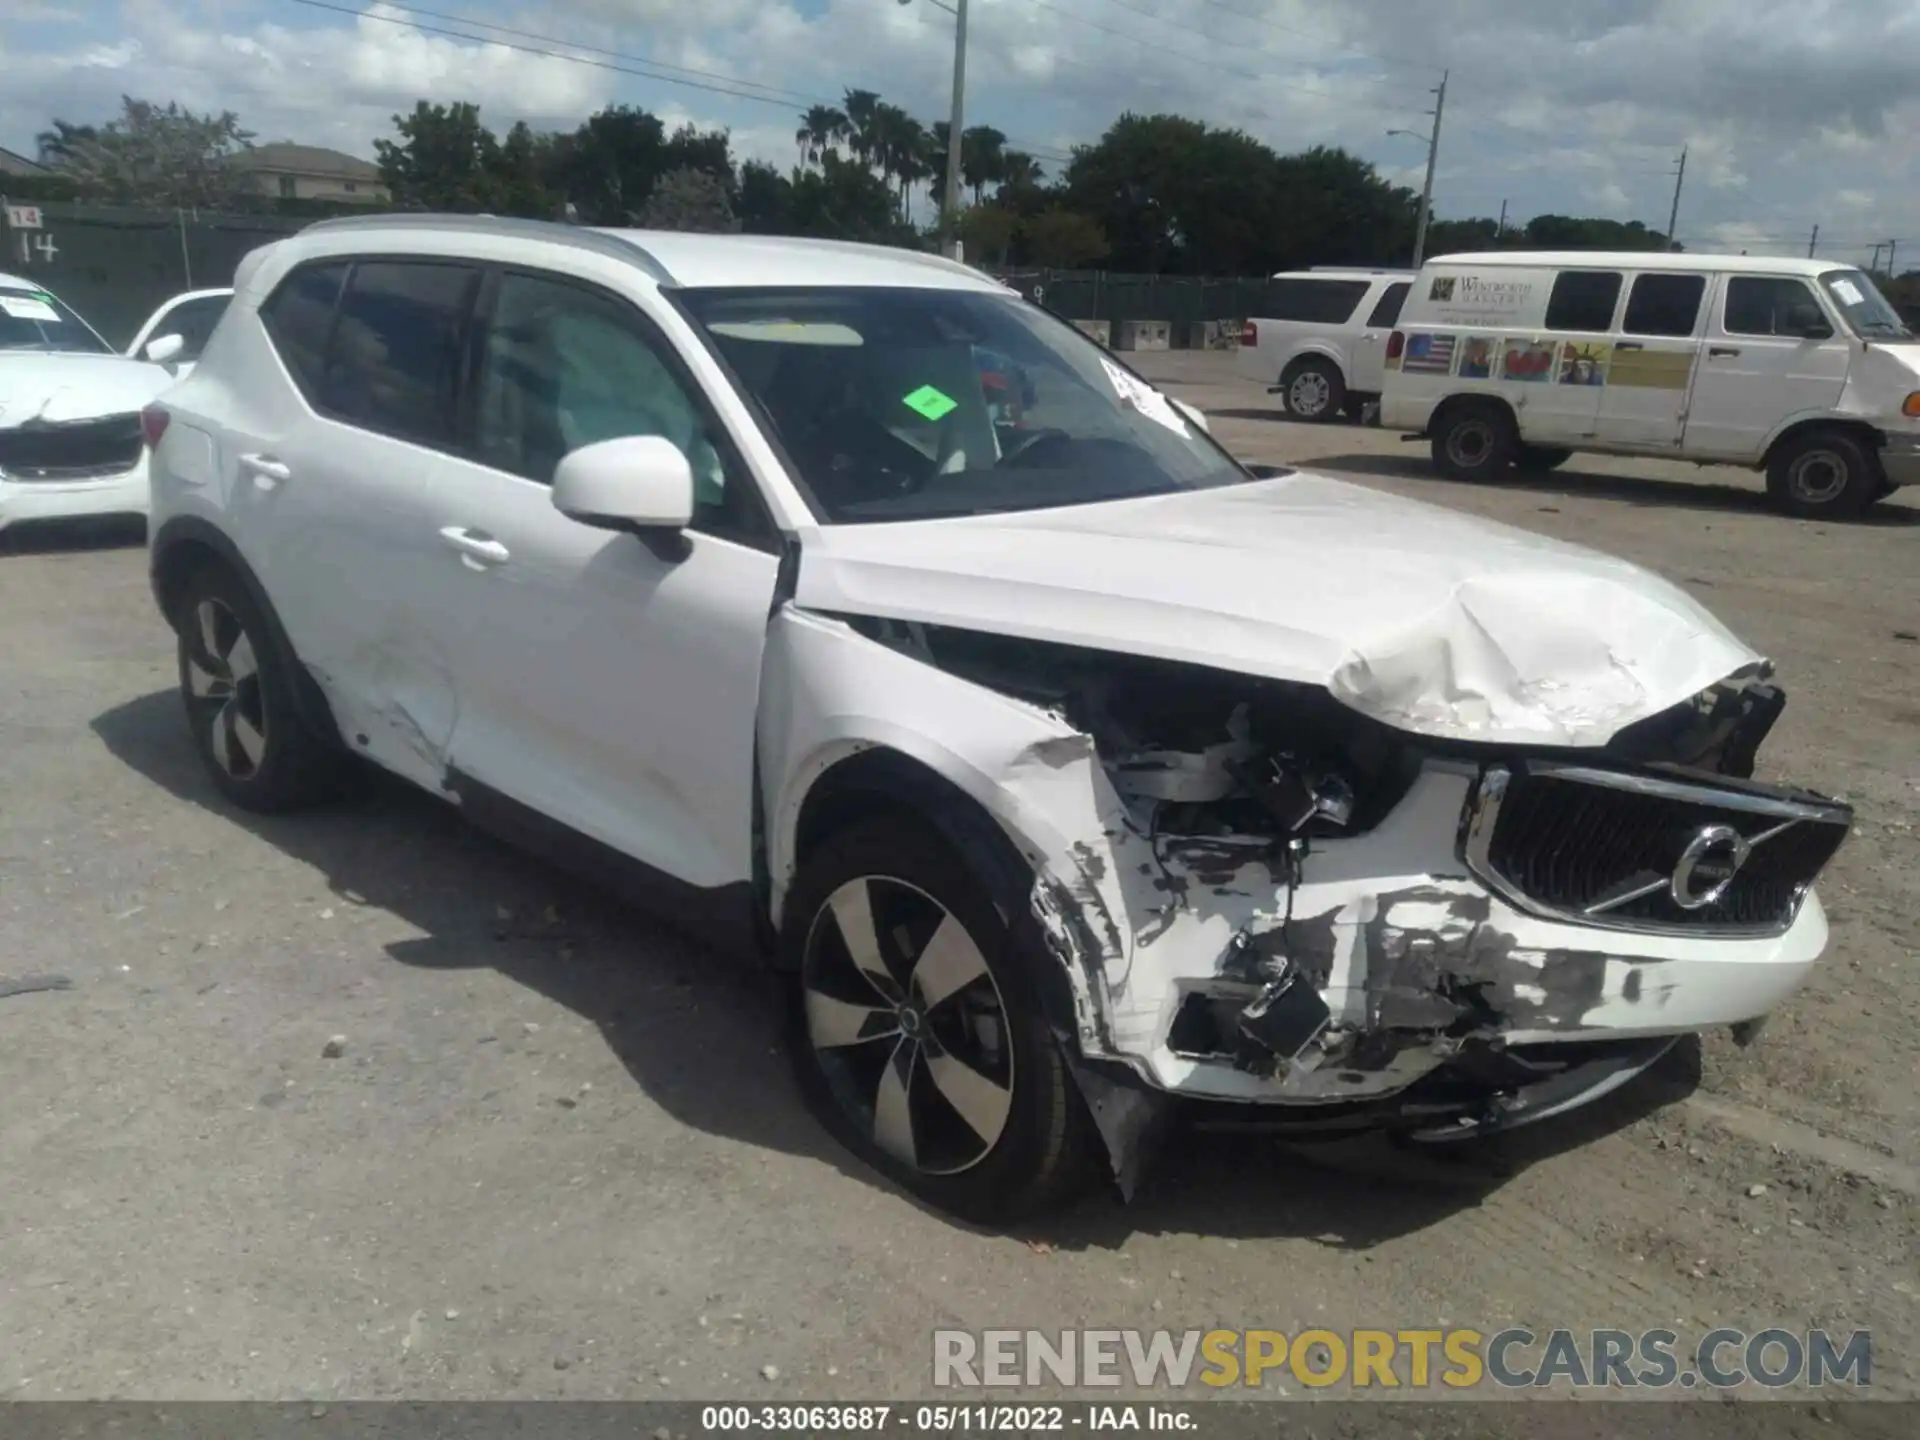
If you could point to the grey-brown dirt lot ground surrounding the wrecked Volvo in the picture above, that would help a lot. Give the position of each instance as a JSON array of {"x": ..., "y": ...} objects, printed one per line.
[{"x": 562, "y": 1155}]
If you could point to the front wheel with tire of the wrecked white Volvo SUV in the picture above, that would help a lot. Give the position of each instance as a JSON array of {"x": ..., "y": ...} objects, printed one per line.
[{"x": 919, "y": 1028}]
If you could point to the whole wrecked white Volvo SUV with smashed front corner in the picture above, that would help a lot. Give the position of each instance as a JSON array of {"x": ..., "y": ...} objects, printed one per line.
[{"x": 1067, "y": 771}]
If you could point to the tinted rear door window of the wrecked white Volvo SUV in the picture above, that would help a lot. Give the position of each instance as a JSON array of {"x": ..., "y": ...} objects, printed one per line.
[{"x": 395, "y": 356}]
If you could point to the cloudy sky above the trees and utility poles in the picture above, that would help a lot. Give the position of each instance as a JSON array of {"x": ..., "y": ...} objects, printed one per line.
[{"x": 1794, "y": 114}]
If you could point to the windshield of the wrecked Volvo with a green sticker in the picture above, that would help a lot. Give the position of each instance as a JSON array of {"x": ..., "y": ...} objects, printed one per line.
[{"x": 917, "y": 404}]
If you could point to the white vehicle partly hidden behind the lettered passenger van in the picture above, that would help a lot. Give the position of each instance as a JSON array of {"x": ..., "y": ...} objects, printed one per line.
[{"x": 1324, "y": 347}]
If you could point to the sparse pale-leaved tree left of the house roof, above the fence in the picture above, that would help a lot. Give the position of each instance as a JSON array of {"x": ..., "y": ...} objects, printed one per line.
[{"x": 153, "y": 156}]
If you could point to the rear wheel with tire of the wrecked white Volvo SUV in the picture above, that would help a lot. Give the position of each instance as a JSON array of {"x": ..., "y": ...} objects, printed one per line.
[{"x": 237, "y": 684}]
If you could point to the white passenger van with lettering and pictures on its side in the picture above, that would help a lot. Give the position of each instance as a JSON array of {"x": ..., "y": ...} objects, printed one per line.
[{"x": 1794, "y": 368}]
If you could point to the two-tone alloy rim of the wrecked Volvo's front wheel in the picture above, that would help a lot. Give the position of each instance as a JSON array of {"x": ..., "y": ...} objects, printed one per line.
[{"x": 907, "y": 1026}]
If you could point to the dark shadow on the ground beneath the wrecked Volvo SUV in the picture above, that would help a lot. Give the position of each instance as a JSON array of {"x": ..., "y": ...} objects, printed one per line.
[{"x": 702, "y": 1034}]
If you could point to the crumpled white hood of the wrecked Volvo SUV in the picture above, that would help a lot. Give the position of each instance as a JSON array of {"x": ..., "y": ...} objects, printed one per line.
[{"x": 1426, "y": 619}]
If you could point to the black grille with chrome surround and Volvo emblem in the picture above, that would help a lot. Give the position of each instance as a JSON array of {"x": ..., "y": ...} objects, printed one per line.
[{"x": 1646, "y": 852}]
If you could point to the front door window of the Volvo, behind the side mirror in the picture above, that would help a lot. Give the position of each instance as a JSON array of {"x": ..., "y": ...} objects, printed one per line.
[{"x": 564, "y": 366}]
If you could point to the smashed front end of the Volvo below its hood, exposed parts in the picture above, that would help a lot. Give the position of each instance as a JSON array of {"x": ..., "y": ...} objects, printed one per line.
[{"x": 1287, "y": 911}]
